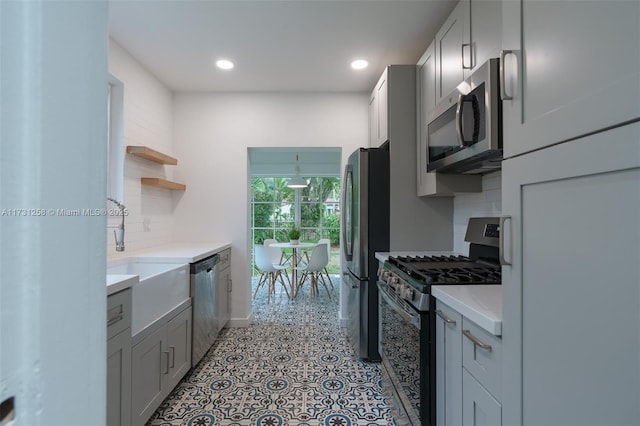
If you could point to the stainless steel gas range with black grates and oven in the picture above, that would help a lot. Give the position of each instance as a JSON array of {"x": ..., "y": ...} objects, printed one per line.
[{"x": 407, "y": 316}]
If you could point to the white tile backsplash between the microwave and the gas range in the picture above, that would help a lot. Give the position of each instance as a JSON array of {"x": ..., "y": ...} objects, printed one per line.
[{"x": 485, "y": 203}]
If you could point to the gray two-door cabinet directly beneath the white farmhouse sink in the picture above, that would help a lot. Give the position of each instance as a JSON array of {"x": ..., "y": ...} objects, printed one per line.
[{"x": 158, "y": 362}]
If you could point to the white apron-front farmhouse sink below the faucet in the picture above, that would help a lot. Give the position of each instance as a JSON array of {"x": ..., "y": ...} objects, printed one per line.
[{"x": 160, "y": 288}]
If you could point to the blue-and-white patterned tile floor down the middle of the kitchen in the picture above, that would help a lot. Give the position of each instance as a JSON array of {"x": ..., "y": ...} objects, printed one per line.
[{"x": 292, "y": 366}]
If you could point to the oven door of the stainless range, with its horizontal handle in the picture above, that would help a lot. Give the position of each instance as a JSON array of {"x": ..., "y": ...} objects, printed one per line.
[{"x": 403, "y": 366}]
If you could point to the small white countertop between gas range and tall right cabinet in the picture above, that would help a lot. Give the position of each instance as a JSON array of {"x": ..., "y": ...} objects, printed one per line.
[{"x": 482, "y": 304}]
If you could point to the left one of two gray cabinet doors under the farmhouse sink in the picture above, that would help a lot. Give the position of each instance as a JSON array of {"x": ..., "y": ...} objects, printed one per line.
[{"x": 149, "y": 365}]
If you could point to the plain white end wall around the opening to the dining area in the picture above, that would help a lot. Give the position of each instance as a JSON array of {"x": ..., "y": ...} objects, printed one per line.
[{"x": 212, "y": 133}]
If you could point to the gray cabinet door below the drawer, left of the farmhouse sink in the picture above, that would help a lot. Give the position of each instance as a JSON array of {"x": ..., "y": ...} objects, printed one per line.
[{"x": 119, "y": 379}]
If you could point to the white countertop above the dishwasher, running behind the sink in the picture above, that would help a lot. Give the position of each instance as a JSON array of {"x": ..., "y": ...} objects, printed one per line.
[{"x": 179, "y": 252}]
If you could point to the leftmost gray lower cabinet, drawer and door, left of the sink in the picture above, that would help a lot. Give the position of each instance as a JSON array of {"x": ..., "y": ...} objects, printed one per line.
[{"x": 119, "y": 358}]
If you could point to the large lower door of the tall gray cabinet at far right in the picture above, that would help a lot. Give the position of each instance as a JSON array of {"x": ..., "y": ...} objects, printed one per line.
[{"x": 571, "y": 298}]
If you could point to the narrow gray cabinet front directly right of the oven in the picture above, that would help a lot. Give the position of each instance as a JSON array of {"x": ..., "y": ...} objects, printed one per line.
[{"x": 448, "y": 366}]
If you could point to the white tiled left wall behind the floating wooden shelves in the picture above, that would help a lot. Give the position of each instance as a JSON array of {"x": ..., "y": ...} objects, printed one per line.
[{"x": 148, "y": 121}]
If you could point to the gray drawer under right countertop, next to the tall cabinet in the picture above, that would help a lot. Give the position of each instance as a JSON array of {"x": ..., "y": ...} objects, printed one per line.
[{"x": 482, "y": 356}]
